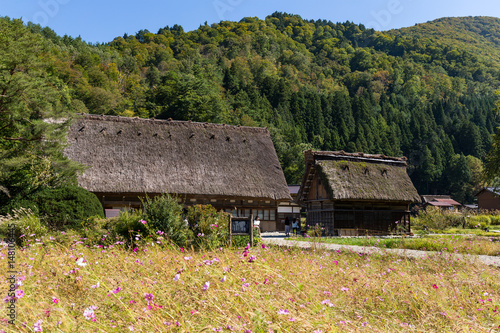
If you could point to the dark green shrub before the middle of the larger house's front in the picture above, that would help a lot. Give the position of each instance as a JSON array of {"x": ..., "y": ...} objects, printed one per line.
[{"x": 164, "y": 214}]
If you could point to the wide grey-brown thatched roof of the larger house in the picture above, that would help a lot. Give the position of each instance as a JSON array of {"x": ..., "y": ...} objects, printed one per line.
[{"x": 132, "y": 155}]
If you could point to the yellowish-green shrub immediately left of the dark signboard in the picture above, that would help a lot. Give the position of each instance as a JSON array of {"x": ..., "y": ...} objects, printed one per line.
[{"x": 210, "y": 228}]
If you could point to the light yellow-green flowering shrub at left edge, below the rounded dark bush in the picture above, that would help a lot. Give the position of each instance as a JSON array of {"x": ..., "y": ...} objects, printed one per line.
[{"x": 27, "y": 225}]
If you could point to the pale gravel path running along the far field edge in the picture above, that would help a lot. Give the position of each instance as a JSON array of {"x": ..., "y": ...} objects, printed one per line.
[{"x": 277, "y": 240}]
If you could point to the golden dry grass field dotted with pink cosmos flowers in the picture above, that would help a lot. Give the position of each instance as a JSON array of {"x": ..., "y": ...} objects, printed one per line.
[{"x": 264, "y": 290}]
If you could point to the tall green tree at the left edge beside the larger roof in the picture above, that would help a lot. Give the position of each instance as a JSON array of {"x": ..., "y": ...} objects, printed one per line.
[{"x": 35, "y": 111}]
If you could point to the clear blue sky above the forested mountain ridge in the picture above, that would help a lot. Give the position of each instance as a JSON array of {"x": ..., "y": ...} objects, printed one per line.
[{"x": 101, "y": 21}]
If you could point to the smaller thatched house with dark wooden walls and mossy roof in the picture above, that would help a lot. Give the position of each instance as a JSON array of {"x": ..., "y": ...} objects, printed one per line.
[{"x": 356, "y": 194}]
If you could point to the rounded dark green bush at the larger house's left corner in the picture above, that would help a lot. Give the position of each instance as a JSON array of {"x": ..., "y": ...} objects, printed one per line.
[{"x": 66, "y": 206}]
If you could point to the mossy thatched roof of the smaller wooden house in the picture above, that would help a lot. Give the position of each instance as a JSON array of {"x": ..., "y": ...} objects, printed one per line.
[{"x": 360, "y": 177}]
